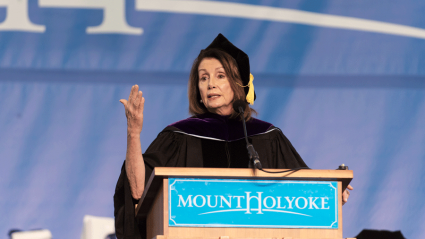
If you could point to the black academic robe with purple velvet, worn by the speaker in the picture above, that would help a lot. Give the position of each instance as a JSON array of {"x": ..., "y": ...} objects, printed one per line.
[{"x": 207, "y": 140}]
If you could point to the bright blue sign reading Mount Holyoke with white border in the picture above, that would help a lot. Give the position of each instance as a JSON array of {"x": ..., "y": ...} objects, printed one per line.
[{"x": 197, "y": 202}]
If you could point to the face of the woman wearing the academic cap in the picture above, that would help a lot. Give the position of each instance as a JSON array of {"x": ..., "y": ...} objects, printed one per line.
[{"x": 214, "y": 86}]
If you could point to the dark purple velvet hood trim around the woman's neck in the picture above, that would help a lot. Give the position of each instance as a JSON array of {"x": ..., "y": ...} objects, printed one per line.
[{"x": 220, "y": 127}]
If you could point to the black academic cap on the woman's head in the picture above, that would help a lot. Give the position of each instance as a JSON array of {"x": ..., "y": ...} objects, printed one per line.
[{"x": 242, "y": 59}]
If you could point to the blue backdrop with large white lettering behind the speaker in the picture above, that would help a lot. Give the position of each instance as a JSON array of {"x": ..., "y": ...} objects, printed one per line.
[{"x": 344, "y": 80}]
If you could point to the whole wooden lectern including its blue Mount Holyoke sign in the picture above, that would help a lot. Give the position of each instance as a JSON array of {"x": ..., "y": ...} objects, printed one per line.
[{"x": 222, "y": 203}]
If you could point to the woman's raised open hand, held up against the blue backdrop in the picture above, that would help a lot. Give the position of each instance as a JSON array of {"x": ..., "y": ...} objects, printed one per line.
[{"x": 134, "y": 110}]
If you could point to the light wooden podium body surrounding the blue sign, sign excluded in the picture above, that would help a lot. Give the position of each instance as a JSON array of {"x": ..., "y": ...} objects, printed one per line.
[{"x": 153, "y": 206}]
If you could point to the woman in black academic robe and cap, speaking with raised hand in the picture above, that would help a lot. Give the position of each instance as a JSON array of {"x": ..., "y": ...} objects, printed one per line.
[{"x": 213, "y": 137}]
